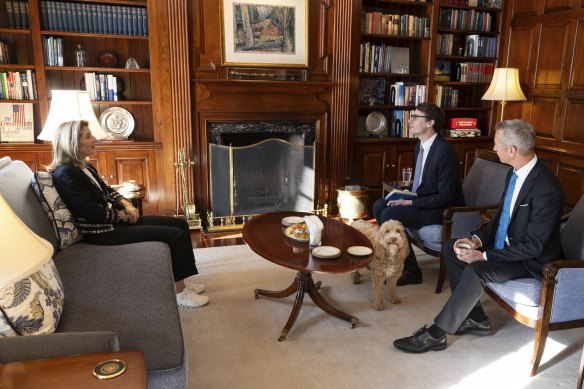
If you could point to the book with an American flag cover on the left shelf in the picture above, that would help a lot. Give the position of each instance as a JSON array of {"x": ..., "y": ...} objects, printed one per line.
[{"x": 16, "y": 123}]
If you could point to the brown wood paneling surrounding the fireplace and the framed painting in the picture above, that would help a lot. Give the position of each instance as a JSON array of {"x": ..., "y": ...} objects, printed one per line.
[{"x": 323, "y": 98}]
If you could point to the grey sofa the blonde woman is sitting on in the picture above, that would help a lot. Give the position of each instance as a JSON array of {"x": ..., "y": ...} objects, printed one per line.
[{"x": 116, "y": 297}]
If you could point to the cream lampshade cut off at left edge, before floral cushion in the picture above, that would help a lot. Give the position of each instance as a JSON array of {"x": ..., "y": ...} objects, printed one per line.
[{"x": 22, "y": 252}]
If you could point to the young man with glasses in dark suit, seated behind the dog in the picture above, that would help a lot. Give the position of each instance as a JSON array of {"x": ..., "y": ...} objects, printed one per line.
[{"x": 436, "y": 181}]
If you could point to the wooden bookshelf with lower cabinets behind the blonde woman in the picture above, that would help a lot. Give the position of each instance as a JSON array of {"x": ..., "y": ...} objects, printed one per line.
[{"x": 139, "y": 160}]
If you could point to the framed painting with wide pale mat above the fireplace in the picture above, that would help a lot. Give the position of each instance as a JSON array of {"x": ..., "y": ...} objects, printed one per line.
[{"x": 270, "y": 33}]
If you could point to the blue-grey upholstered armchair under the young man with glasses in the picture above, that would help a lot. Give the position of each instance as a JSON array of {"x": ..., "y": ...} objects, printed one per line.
[{"x": 483, "y": 187}]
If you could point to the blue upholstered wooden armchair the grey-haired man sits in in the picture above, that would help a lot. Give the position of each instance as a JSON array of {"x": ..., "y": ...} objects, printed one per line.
[{"x": 557, "y": 301}]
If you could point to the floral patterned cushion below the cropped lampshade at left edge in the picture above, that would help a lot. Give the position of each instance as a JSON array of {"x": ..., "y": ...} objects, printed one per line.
[{"x": 34, "y": 304}]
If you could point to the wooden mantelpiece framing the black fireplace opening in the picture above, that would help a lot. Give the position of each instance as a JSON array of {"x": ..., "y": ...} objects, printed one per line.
[{"x": 228, "y": 100}]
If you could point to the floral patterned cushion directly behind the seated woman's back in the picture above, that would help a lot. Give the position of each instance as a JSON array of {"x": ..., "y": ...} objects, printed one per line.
[{"x": 58, "y": 213}]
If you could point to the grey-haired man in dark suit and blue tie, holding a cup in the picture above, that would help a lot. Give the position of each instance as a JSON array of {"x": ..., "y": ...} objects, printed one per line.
[{"x": 523, "y": 236}]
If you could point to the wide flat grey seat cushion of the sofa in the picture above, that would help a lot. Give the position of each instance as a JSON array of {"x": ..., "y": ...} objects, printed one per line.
[{"x": 125, "y": 289}]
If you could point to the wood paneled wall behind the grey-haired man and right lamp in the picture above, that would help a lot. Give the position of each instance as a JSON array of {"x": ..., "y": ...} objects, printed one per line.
[{"x": 545, "y": 40}]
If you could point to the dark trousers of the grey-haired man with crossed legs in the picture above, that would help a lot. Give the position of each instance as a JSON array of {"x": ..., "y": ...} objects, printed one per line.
[{"x": 467, "y": 282}]
